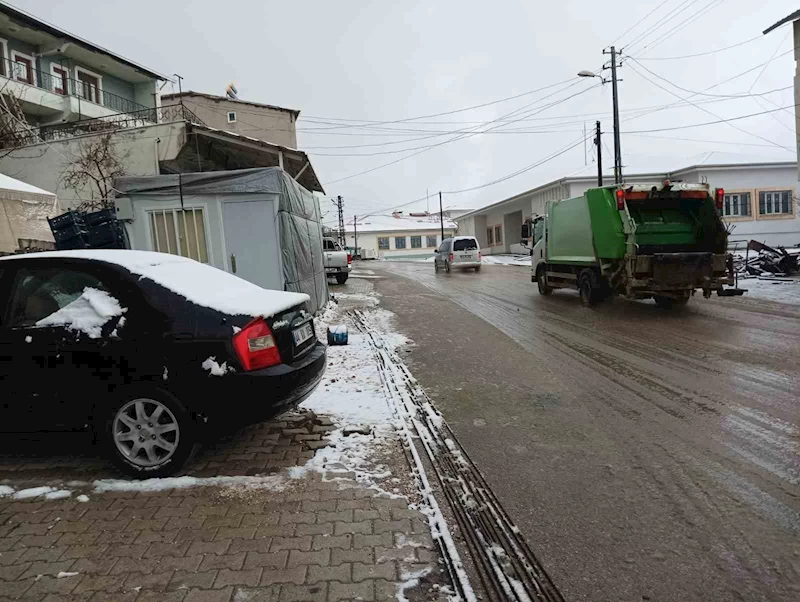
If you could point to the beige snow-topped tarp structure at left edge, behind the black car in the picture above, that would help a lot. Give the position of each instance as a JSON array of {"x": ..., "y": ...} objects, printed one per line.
[{"x": 24, "y": 210}]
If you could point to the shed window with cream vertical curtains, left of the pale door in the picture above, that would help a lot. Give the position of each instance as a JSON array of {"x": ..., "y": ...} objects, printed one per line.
[{"x": 180, "y": 232}]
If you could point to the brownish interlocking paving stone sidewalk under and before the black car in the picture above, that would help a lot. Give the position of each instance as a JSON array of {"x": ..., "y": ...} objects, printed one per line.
[{"x": 316, "y": 537}]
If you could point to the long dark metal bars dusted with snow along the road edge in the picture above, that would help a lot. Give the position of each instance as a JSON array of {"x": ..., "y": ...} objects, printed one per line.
[{"x": 507, "y": 567}]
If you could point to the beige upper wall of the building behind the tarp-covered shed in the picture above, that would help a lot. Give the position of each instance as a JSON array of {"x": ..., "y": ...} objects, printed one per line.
[{"x": 270, "y": 125}]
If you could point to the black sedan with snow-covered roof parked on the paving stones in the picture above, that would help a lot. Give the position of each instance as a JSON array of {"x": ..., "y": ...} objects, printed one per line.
[{"x": 153, "y": 352}]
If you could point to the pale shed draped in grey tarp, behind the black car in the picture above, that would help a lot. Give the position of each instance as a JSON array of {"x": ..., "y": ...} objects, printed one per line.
[{"x": 288, "y": 217}]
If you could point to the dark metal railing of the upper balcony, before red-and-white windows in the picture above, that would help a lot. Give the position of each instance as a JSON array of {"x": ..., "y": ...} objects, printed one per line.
[{"x": 59, "y": 83}]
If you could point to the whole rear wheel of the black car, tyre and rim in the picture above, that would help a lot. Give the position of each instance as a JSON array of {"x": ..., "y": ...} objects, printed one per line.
[{"x": 174, "y": 434}]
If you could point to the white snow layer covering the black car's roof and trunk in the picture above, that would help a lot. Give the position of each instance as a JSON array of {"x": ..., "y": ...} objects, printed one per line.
[{"x": 199, "y": 283}]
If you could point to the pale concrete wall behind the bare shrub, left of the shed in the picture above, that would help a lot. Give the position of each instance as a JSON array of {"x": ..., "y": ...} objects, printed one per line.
[{"x": 43, "y": 164}]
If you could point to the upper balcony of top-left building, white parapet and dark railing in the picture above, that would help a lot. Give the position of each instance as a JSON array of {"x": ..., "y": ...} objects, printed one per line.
[{"x": 54, "y": 96}]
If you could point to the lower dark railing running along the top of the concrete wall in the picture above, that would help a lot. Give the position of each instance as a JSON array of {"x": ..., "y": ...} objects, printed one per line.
[{"x": 119, "y": 121}]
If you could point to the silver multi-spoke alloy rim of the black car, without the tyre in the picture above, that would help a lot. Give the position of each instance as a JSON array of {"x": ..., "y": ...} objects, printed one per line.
[{"x": 146, "y": 432}]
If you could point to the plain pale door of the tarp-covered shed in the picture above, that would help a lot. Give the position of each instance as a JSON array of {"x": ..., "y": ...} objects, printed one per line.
[{"x": 251, "y": 242}]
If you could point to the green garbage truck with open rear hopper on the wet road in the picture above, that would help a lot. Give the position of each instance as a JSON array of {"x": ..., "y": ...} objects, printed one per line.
[{"x": 662, "y": 241}]
